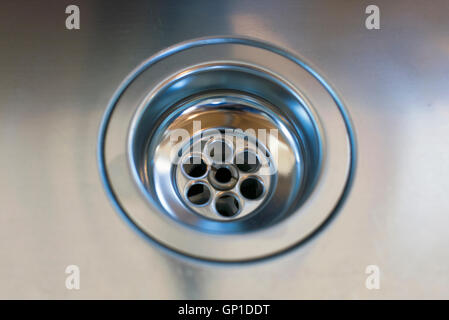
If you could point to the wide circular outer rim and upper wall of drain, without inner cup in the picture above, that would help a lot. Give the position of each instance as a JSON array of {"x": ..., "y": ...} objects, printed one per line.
[{"x": 306, "y": 96}]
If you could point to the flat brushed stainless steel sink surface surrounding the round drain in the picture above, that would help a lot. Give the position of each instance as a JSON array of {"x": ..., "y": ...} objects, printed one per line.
[{"x": 54, "y": 88}]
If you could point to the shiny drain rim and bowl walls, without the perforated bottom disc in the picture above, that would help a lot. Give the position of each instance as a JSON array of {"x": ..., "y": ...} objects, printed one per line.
[{"x": 307, "y": 114}]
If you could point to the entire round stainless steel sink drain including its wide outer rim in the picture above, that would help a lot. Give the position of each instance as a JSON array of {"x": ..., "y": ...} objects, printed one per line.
[{"x": 225, "y": 149}]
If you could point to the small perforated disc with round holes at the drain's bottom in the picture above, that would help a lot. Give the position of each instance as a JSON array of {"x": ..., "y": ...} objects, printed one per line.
[{"x": 223, "y": 175}]
